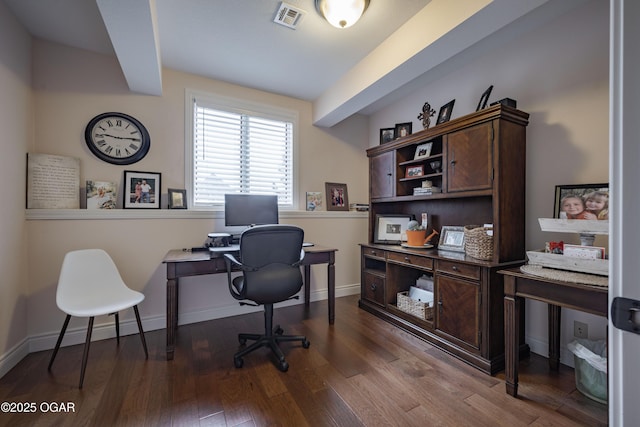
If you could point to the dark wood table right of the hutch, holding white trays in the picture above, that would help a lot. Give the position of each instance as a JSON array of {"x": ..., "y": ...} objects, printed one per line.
[{"x": 557, "y": 294}]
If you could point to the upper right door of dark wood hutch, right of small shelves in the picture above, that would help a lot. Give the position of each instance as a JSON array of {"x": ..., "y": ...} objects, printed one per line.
[{"x": 469, "y": 158}]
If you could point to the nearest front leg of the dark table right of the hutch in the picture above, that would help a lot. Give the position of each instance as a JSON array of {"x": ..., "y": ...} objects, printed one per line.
[{"x": 512, "y": 307}]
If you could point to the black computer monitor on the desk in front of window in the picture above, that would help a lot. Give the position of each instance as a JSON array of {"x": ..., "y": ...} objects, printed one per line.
[{"x": 250, "y": 209}]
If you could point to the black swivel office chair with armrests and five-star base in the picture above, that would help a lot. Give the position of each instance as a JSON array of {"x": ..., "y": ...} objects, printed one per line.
[{"x": 270, "y": 258}]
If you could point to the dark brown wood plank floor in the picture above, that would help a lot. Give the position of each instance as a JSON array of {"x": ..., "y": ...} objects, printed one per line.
[{"x": 359, "y": 372}]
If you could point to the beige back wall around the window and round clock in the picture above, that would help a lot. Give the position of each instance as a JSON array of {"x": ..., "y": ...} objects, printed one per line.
[{"x": 70, "y": 86}]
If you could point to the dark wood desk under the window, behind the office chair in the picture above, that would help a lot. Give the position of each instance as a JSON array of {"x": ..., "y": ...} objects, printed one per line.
[{"x": 182, "y": 263}]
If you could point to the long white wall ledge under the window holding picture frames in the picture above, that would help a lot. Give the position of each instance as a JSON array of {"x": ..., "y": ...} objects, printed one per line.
[{"x": 85, "y": 214}]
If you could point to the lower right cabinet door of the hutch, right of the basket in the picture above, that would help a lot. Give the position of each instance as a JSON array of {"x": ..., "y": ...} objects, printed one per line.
[{"x": 458, "y": 310}]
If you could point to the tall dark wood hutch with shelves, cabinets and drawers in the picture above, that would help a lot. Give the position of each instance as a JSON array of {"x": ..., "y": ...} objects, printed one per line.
[{"x": 482, "y": 177}]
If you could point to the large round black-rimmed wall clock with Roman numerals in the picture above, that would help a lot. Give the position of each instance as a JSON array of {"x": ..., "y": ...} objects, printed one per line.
[{"x": 117, "y": 138}]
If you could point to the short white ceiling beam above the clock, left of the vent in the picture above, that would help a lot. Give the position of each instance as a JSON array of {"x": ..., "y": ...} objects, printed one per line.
[{"x": 133, "y": 29}]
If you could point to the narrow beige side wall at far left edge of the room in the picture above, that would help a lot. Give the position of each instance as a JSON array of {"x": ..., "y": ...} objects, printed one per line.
[{"x": 16, "y": 116}]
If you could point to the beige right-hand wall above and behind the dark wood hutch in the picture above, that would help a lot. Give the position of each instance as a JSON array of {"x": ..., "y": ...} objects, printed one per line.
[{"x": 559, "y": 75}]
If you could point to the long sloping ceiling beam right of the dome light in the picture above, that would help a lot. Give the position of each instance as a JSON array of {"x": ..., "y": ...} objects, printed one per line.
[{"x": 434, "y": 35}]
